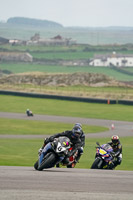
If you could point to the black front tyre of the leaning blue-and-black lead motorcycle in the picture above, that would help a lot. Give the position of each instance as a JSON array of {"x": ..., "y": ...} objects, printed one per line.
[{"x": 48, "y": 162}]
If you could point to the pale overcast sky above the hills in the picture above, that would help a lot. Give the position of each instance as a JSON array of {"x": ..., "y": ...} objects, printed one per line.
[{"x": 85, "y": 13}]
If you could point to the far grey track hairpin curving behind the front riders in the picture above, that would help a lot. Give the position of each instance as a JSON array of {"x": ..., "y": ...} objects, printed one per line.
[{"x": 121, "y": 128}]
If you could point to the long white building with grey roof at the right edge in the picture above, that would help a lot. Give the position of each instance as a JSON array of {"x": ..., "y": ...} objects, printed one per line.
[{"x": 112, "y": 60}]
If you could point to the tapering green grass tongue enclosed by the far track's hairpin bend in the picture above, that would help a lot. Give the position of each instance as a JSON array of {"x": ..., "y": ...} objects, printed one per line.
[{"x": 26, "y": 127}]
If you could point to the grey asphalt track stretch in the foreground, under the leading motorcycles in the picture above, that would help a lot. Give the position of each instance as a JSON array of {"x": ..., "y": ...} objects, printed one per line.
[{"x": 24, "y": 183}]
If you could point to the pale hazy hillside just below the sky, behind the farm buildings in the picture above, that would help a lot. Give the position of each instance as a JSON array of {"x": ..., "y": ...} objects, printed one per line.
[{"x": 93, "y": 36}]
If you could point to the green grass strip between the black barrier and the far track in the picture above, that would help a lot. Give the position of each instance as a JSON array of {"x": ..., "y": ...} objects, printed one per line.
[{"x": 66, "y": 108}]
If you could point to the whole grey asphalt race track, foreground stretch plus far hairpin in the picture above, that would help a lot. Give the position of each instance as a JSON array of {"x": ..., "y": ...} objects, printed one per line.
[{"x": 24, "y": 183}]
